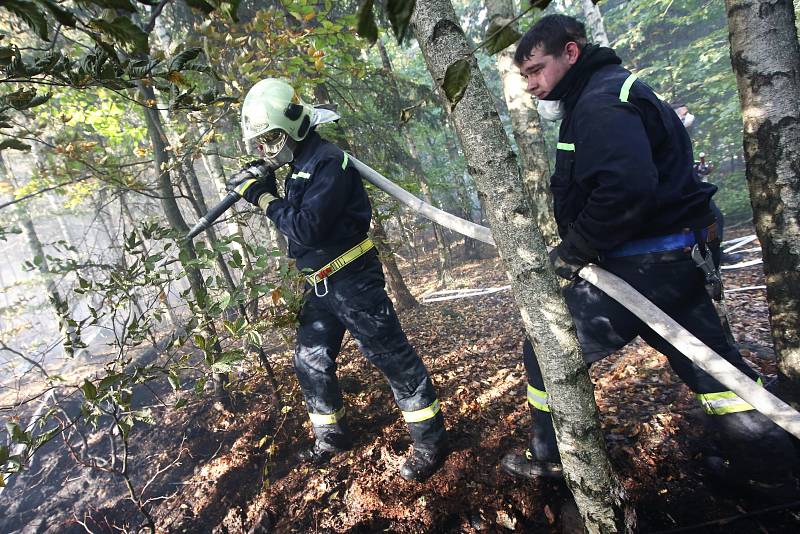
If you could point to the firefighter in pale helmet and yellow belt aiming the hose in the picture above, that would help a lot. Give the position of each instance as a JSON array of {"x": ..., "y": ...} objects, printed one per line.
[{"x": 325, "y": 214}]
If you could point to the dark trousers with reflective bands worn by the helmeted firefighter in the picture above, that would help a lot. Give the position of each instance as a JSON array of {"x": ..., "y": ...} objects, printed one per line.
[{"x": 356, "y": 301}]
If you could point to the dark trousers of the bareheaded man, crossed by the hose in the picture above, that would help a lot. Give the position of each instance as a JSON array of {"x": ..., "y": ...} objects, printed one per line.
[{"x": 672, "y": 281}]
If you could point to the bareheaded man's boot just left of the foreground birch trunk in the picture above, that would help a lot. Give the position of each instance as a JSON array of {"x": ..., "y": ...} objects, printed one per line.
[{"x": 542, "y": 459}]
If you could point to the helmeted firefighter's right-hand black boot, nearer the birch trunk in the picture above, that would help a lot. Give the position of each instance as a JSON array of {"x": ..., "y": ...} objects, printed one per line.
[{"x": 430, "y": 449}]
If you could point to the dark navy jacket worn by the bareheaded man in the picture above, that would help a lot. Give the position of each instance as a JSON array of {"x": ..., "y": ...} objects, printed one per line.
[{"x": 624, "y": 165}]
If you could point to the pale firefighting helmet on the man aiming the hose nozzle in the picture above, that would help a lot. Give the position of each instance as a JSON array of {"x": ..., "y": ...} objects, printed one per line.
[{"x": 273, "y": 104}]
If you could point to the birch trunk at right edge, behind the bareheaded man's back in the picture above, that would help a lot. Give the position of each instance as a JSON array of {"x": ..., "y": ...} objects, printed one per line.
[{"x": 766, "y": 60}]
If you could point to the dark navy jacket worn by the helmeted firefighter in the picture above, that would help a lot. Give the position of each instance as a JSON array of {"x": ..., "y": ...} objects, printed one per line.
[{"x": 325, "y": 210}]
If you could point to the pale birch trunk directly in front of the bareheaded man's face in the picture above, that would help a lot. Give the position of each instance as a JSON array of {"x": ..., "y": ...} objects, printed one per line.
[{"x": 527, "y": 128}]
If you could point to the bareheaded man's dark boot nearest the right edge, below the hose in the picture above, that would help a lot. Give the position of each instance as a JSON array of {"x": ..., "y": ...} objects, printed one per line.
[{"x": 755, "y": 455}]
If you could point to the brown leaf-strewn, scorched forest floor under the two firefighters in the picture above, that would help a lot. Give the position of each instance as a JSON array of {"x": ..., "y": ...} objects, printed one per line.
[{"x": 212, "y": 469}]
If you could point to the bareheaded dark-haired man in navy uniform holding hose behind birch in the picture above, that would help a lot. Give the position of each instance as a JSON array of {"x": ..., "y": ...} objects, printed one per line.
[{"x": 625, "y": 198}]
